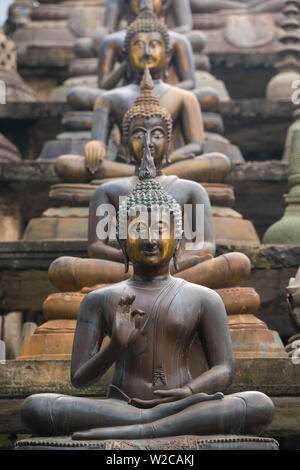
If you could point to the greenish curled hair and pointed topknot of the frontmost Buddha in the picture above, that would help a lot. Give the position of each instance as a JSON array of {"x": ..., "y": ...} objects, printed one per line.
[{"x": 148, "y": 195}]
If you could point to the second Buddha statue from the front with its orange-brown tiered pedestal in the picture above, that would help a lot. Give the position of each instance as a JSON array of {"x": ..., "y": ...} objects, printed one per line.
[{"x": 147, "y": 124}]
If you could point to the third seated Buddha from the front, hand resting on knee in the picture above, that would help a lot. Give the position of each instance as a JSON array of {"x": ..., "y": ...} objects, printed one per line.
[{"x": 147, "y": 44}]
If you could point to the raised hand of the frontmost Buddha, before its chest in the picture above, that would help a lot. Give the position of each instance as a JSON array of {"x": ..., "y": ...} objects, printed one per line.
[{"x": 124, "y": 330}]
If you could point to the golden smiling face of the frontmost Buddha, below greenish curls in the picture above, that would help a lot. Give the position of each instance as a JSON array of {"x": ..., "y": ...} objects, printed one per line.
[{"x": 150, "y": 238}]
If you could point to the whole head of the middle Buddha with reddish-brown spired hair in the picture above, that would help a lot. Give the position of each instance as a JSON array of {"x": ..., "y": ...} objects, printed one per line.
[{"x": 147, "y": 123}]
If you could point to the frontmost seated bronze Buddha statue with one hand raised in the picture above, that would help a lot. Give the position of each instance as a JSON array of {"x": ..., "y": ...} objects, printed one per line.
[{"x": 168, "y": 339}]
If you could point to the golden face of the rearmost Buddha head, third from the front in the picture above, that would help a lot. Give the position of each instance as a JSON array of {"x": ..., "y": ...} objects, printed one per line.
[{"x": 147, "y": 49}]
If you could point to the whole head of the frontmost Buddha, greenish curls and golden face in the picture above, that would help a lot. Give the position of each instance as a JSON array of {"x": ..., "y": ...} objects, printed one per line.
[{"x": 149, "y": 222}]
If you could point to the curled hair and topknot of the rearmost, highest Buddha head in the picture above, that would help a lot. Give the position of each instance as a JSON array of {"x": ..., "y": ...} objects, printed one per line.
[{"x": 147, "y": 22}]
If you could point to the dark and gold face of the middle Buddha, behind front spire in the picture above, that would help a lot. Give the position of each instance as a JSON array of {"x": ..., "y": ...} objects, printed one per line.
[{"x": 153, "y": 131}]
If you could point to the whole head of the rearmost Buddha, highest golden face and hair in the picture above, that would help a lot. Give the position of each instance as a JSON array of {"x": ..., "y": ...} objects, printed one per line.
[{"x": 147, "y": 43}]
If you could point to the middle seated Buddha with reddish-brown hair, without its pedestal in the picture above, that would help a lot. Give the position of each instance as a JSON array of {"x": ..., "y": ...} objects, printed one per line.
[{"x": 148, "y": 118}]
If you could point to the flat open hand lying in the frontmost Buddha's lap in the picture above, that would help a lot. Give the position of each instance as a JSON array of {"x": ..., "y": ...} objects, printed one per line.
[{"x": 175, "y": 394}]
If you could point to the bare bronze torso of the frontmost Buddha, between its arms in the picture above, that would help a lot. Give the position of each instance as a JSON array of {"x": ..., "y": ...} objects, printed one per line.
[{"x": 168, "y": 353}]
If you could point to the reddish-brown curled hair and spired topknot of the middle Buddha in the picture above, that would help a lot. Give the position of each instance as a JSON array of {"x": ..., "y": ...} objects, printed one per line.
[{"x": 146, "y": 105}]
